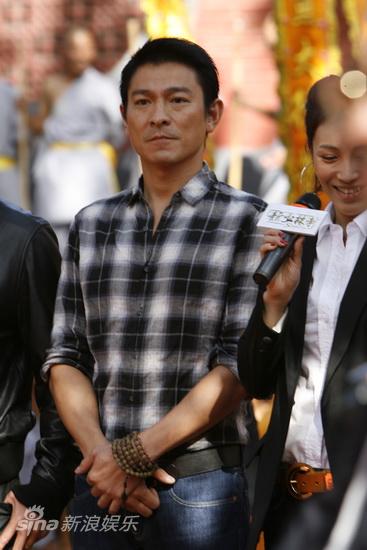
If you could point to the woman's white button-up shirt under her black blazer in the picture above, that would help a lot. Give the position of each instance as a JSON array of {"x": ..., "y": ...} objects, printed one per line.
[{"x": 332, "y": 269}]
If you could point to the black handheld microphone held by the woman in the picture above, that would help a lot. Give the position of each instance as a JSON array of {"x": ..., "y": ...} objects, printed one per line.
[{"x": 272, "y": 261}]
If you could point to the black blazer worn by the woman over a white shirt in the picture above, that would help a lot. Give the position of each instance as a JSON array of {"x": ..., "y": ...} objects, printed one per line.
[{"x": 270, "y": 363}]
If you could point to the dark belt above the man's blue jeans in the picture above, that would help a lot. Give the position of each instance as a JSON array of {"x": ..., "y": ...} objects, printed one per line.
[{"x": 205, "y": 460}]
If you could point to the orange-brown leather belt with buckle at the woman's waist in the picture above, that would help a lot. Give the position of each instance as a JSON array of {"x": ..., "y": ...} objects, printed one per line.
[{"x": 302, "y": 481}]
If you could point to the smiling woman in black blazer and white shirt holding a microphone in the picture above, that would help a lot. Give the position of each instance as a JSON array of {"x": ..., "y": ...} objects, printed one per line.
[{"x": 310, "y": 323}]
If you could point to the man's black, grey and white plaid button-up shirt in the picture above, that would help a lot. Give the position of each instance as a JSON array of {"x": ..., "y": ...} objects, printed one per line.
[{"x": 146, "y": 316}]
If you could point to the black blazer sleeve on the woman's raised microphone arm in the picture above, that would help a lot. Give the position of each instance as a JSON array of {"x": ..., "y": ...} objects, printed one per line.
[{"x": 260, "y": 355}]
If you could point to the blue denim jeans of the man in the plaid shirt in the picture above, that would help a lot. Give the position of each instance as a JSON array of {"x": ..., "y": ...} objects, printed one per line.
[{"x": 207, "y": 511}]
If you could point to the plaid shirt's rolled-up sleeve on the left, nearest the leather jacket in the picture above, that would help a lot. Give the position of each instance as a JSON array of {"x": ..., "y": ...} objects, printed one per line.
[{"x": 69, "y": 343}]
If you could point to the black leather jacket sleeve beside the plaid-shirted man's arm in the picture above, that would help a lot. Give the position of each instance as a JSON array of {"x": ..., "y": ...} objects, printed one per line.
[{"x": 55, "y": 452}]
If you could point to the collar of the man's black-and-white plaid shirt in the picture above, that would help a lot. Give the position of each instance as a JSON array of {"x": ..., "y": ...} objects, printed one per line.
[{"x": 193, "y": 191}]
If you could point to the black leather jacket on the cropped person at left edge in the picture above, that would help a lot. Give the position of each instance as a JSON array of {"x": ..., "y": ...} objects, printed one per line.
[{"x": 29, "y": 271}]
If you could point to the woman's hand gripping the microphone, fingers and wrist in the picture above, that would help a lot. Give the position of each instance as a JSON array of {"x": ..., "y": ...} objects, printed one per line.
[{"x": 281, "y": 288}]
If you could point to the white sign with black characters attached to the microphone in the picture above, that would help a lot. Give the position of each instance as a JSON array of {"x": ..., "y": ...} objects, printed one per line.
[{"x": 293, "y": 219}]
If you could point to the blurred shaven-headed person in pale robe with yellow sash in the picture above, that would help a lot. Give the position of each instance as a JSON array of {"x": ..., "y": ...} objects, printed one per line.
[{"x": 75, "y": 162}]
